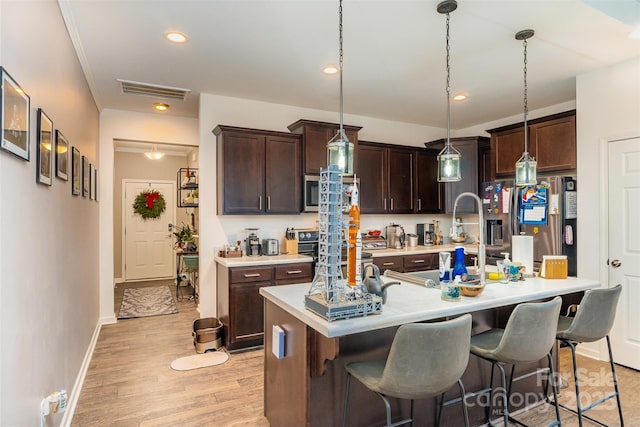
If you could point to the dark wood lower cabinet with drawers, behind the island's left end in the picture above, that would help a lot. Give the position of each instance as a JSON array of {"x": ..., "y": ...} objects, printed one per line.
[{"x": 240, "y": 306}]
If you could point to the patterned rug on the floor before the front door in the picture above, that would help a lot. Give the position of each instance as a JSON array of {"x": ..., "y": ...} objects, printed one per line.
[{"x": 147, "y": 301}]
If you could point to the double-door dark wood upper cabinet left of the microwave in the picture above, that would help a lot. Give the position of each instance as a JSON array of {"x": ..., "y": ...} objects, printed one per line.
[{"x": 258, "y": 171}]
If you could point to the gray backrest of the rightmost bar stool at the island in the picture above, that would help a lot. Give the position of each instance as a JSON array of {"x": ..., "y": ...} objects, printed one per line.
[{"x": 595, "y": 315}]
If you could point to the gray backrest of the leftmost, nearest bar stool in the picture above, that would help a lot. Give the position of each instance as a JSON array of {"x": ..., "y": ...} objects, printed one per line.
[{"x": 426, "y": 359}]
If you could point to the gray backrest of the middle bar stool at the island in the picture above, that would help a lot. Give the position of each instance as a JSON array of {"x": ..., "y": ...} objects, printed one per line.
[{"x": 530, "y": 332}]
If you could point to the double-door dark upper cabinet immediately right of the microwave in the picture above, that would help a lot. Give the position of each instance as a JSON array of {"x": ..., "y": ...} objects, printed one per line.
[{"x": 386, "y": 178}]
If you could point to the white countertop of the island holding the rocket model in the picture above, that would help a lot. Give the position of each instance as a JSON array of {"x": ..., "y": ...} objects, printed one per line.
[{"x": 409, "y": 303}]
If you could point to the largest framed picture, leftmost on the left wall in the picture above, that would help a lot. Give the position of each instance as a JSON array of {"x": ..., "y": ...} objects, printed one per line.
[{"x": 15, "y": 108}]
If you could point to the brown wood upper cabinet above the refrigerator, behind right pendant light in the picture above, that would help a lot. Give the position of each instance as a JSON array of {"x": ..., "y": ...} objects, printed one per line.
[{"x": 552, "y": 141}]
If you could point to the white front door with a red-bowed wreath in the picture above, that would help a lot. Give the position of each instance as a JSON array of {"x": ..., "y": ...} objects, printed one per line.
[{"x": 148, "y": 251}]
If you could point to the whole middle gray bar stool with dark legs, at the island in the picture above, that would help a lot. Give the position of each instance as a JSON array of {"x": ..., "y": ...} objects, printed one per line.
[{"x": 527, "y": 338}]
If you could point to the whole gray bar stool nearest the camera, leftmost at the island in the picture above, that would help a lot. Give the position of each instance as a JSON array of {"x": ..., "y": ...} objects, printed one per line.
[{"x": 425, "y": 360}]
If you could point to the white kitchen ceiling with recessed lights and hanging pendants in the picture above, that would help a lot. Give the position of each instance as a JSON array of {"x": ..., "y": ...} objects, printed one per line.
[{"x": 394, "y": 53}]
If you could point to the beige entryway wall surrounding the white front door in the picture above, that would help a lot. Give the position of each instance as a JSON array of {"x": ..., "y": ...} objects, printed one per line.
[{"x": 138, "y": 166}]
